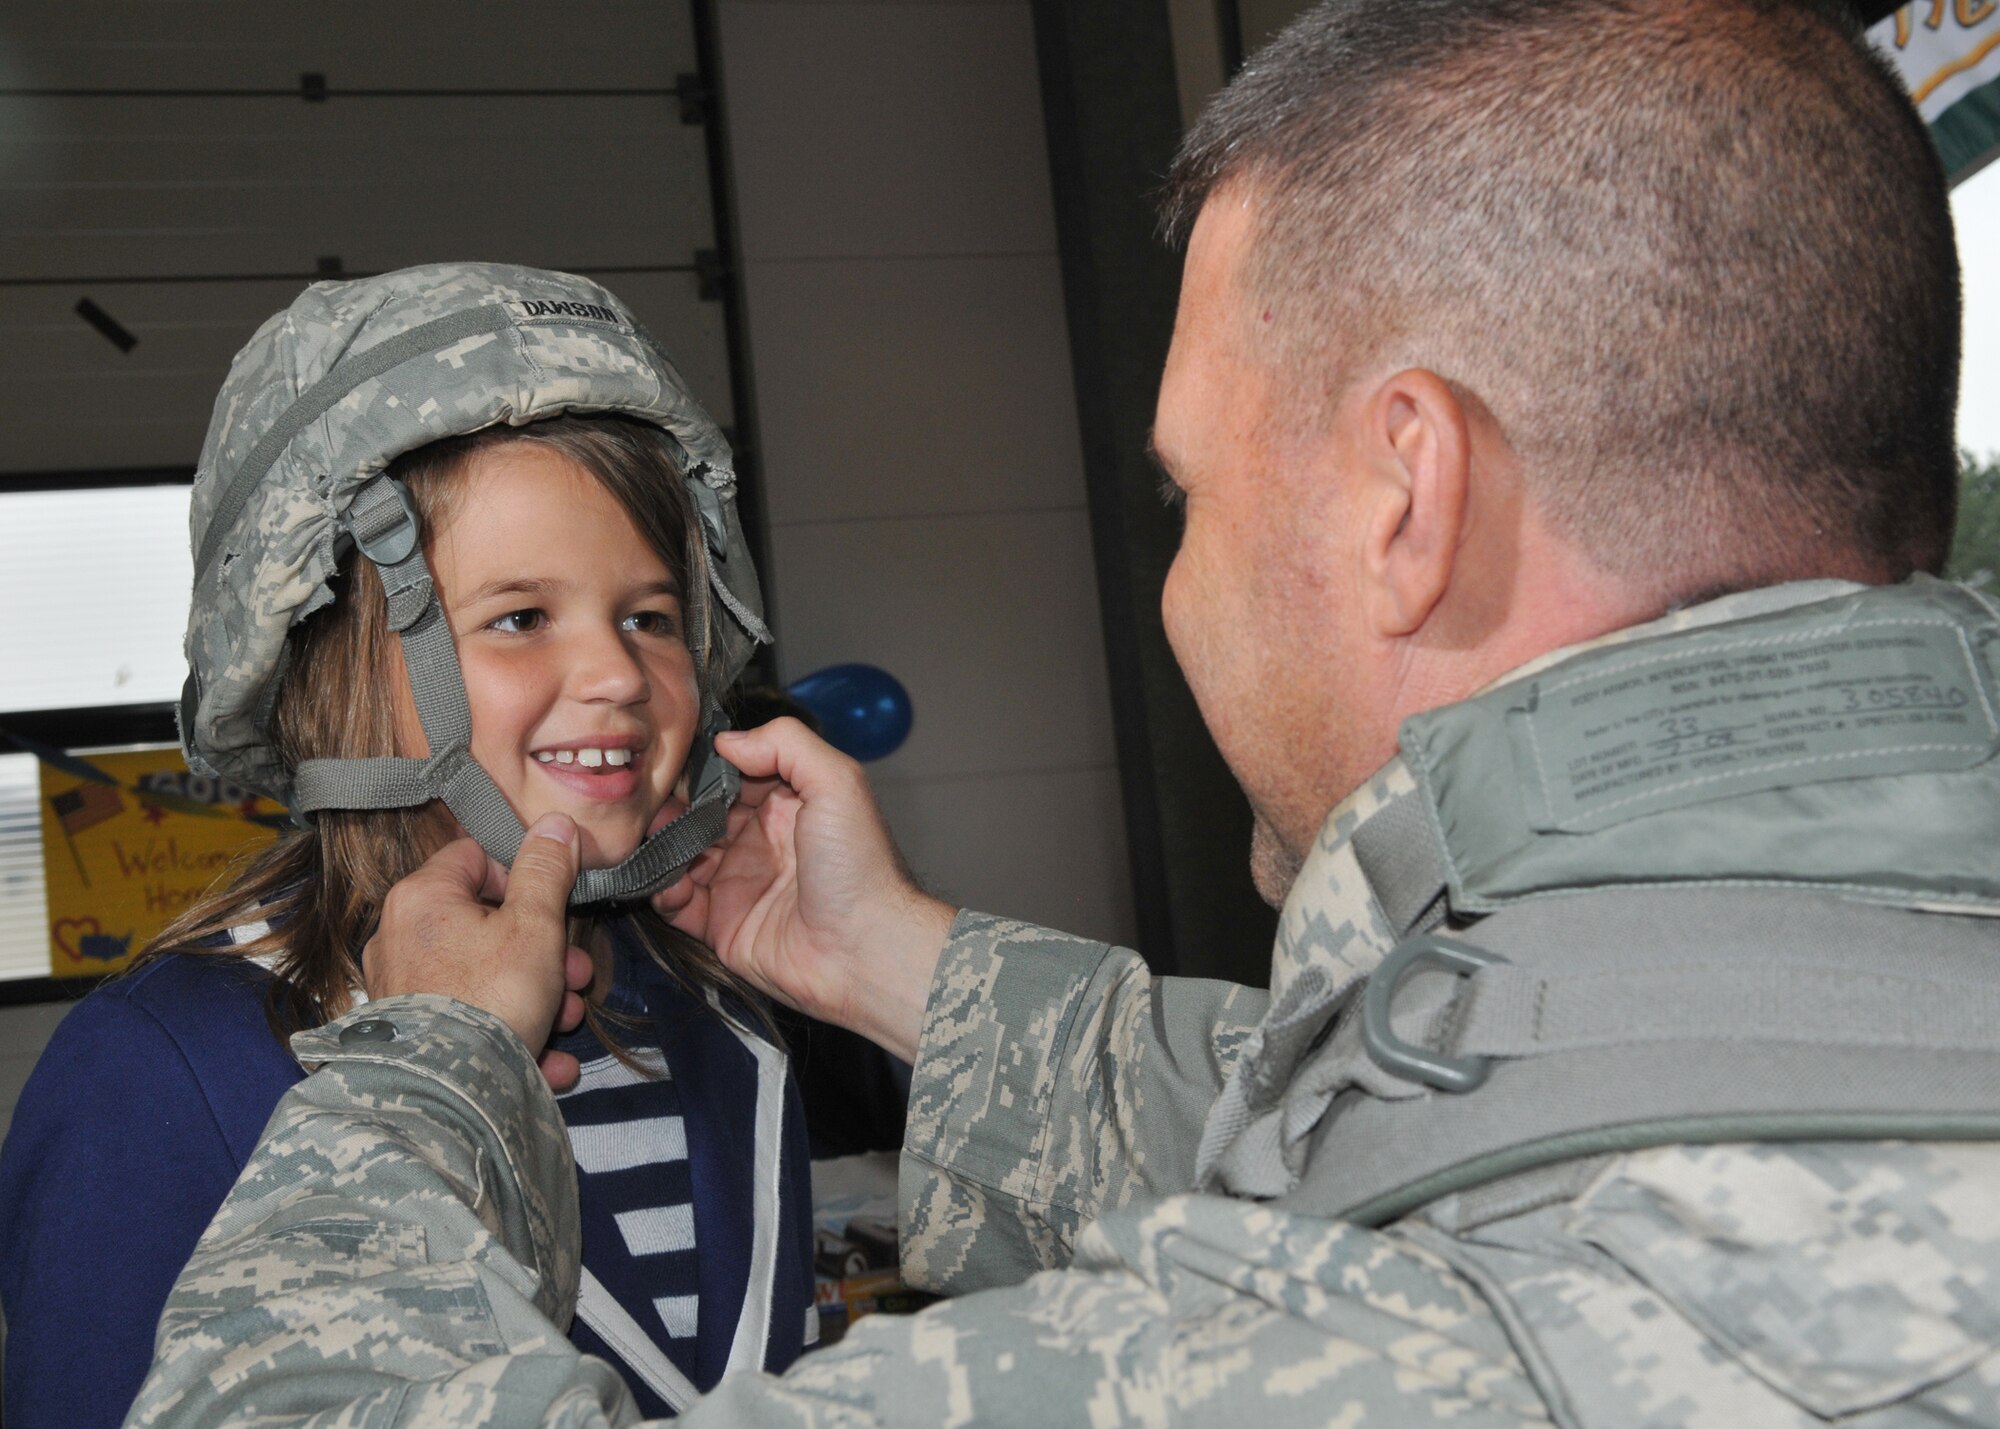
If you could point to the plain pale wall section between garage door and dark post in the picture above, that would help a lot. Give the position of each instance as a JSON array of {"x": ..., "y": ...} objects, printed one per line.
[{"x": 919, "y": 429}]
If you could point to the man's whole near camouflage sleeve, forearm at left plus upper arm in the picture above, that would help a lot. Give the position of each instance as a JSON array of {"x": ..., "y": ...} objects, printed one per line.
[{"x": 395, "y": 1254}]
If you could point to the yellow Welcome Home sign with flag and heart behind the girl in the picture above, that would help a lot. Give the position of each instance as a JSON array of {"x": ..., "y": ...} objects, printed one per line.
[{"x": 133, "y": 848}]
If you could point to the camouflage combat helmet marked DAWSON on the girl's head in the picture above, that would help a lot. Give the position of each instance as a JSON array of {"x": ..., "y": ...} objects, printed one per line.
[{"x": 317, "y": 405}]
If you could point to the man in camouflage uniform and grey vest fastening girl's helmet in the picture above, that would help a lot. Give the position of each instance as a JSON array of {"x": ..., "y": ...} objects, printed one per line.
[{"x": 1557, "y": 395}]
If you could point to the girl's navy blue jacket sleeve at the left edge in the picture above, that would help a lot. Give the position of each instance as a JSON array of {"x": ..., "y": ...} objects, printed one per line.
[{"x": 113, "y": 1168}]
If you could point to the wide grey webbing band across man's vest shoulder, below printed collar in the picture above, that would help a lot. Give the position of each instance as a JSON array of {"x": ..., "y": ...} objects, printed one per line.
[{"x": 1639, "y": 1018}]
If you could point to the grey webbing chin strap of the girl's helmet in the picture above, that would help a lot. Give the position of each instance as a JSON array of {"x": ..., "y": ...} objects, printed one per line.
[{"x": 385, "y": 525}]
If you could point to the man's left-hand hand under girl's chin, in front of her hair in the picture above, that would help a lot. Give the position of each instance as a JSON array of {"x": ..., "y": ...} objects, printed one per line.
[{"x": 465, "y": 928}]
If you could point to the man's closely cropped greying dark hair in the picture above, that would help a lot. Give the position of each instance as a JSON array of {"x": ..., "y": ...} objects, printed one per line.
[{"x": 1695, "y": 257}]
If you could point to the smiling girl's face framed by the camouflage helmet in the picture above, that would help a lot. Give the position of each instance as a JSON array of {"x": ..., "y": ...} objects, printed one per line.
[{"x": 571, "y": 641}]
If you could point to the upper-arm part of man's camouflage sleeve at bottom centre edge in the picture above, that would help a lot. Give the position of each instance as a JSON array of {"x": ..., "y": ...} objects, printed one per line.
[{"x": 1195, "y": 1312}]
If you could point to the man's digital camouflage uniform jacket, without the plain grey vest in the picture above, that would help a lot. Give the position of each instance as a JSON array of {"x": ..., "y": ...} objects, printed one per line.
[{"x": 403, "y": 1246}]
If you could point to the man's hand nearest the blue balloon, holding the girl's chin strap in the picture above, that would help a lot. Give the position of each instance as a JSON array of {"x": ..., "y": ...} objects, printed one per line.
[{"x": 807, "y": 898}]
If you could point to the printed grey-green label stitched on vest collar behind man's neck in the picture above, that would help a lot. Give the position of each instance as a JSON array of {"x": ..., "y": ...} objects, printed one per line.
[{"x": 1749, "y": 713}]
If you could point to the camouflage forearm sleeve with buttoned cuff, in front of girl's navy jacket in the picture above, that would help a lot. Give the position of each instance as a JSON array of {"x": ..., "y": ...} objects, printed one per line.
[{"x": 403, "y": 1244}]
